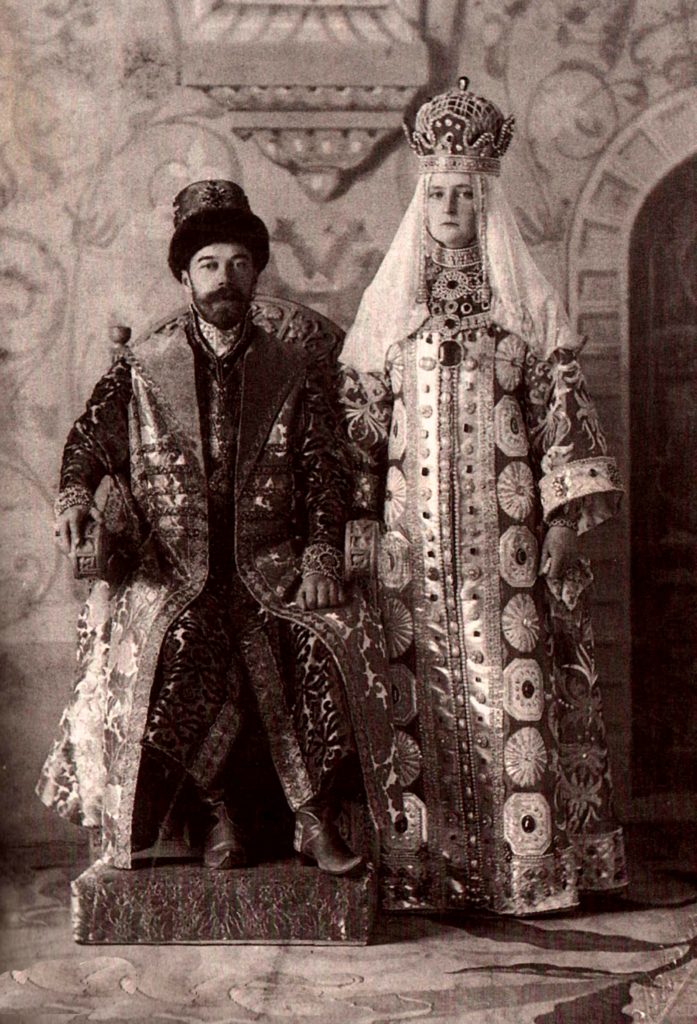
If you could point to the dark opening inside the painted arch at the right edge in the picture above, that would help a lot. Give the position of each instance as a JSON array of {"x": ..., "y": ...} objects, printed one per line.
[{"x": 664, "y": 482}]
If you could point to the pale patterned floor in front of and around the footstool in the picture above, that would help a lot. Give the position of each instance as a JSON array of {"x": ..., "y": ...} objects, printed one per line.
[{"x": 634, "y": 959}]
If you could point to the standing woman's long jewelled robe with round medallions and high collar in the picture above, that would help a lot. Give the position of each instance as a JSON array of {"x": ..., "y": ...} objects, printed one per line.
[{"x": 465, "y": 447}]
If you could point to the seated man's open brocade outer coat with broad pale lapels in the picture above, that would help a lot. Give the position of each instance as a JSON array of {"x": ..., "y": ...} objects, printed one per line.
[{"x": 92, "y": 774}]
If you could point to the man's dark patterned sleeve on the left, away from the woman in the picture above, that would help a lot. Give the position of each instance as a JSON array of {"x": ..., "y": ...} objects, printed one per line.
[{"x": 98, "y": 444}]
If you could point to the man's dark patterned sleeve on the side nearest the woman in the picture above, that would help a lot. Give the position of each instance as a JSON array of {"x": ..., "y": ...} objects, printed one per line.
[{"x": 322, "y": 464}]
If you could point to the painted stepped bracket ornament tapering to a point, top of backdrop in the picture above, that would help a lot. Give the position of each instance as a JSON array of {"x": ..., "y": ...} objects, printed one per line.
[{"x": 320, "y": 87}]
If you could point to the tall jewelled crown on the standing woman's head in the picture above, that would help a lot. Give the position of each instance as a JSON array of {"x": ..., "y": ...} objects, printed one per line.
[{"x": 460, "y": 132}]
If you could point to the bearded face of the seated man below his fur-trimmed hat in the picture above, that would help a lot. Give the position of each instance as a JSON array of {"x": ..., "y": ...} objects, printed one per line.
[{"x": 221, "y": 282}]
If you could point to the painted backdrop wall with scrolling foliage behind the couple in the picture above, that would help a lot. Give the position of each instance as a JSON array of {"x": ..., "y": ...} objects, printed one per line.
[{"x": 111, "y": 109}]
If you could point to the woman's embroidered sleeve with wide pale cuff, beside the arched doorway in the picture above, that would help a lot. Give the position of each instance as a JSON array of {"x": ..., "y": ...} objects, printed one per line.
[{"x": 576, "y": 473}]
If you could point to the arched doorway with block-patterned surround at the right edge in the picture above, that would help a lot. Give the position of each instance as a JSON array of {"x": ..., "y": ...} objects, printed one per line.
[{"x": 603, "y": 300}]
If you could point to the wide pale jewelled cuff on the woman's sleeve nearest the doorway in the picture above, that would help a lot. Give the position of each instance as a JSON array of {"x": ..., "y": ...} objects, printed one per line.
[{"x": 593, "y": 485}]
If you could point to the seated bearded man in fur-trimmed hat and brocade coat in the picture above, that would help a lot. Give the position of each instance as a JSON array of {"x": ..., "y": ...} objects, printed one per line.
[{"x": 230, "y": 632}]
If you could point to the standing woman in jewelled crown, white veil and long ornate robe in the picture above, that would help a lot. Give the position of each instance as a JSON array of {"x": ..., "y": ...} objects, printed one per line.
[{"x": 481, "y": 448}]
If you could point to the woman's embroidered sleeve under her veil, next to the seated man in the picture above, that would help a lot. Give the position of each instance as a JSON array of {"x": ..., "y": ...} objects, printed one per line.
[{"x": 367, "y": 404}]
